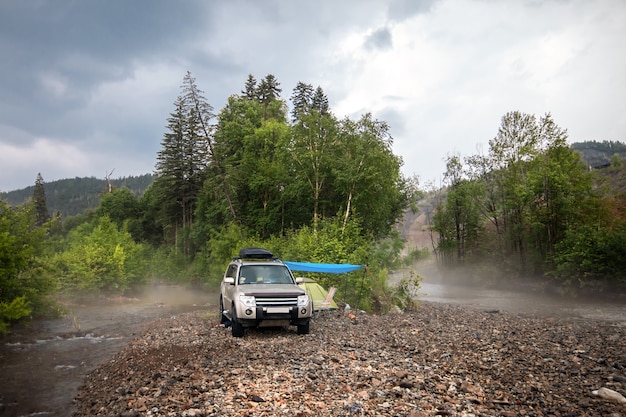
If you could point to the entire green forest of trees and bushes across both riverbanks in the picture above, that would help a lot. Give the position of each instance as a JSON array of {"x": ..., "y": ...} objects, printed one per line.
[{"x": 289, "y": 176}]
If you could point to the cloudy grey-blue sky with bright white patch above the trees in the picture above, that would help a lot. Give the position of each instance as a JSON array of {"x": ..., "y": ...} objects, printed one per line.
[{"x": 86, "y": 86}]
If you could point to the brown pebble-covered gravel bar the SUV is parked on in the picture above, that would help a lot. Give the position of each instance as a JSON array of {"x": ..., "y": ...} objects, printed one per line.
[{"x": 439, "y": 360}]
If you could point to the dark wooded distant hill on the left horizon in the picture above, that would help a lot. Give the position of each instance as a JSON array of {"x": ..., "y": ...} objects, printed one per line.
[{"x": 74, "y": 196}]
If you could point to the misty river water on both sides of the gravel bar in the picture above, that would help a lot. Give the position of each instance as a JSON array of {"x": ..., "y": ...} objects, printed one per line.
[{"x": 44, "y": 363}]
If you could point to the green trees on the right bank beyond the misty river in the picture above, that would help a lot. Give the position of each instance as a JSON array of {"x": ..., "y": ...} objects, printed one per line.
[{"x": 528, "y": 206}]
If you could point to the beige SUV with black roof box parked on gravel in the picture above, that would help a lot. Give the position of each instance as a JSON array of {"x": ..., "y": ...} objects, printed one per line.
[{"x": 259, "y": 290}]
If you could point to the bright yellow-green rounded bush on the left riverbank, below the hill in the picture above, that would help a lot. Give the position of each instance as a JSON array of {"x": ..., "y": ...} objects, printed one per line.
[{"x": 99, "y": 256}]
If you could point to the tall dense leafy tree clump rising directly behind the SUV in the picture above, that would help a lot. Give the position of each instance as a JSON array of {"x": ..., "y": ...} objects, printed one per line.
[{"x": 272, "y": 176}]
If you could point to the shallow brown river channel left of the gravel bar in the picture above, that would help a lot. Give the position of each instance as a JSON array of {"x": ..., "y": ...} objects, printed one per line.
[{"x": 43, "y": 364}]
